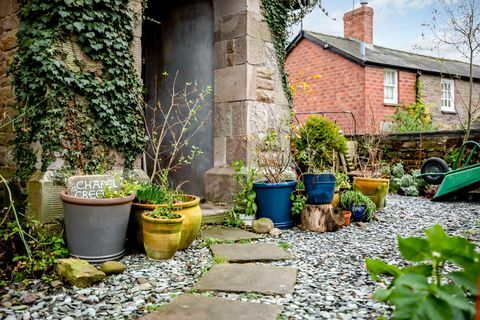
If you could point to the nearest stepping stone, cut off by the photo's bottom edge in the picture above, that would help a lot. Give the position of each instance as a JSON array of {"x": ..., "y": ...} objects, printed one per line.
[{"x": 198, "y": 307}]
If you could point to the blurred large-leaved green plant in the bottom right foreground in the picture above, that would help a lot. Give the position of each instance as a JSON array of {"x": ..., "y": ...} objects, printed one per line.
[{"x": 428, "y": 289}]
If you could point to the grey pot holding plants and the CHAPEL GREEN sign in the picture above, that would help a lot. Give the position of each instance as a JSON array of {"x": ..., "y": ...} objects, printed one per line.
[{"x": 96, "y": 227}]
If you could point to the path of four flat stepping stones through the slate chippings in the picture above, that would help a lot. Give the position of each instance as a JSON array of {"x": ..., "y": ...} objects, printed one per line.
[{"x": 230, "y": 277}]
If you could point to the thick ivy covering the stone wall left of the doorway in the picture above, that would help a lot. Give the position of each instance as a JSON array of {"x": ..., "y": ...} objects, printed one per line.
[{"x": 77, "y": 91}]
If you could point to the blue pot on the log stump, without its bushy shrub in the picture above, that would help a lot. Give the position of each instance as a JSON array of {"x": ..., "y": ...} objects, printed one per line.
[{"x": 320, "y": 188}]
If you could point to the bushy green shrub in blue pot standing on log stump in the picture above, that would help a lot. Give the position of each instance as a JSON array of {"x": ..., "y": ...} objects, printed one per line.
[{"x": 316, "y": 144}]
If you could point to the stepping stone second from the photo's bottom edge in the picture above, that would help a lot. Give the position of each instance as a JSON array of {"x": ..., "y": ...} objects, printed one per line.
[{"x": 259, "y": 278}]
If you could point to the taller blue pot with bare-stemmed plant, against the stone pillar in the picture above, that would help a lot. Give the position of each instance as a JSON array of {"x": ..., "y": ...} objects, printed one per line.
[{"x": 273, "y": 194}]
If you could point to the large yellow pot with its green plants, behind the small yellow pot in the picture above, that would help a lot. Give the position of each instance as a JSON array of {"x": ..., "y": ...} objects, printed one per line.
[{"x": 151, "y": 197}]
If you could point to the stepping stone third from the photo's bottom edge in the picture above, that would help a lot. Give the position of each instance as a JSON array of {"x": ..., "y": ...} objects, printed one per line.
[{"x": 249, "y": 252}]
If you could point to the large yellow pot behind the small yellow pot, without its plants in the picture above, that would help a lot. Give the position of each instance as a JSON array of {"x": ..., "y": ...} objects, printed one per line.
[{"x": 190, "y": 209}]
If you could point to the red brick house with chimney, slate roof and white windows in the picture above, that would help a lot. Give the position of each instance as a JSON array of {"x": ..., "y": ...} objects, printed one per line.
[{"x": 367, "y": 82}]
